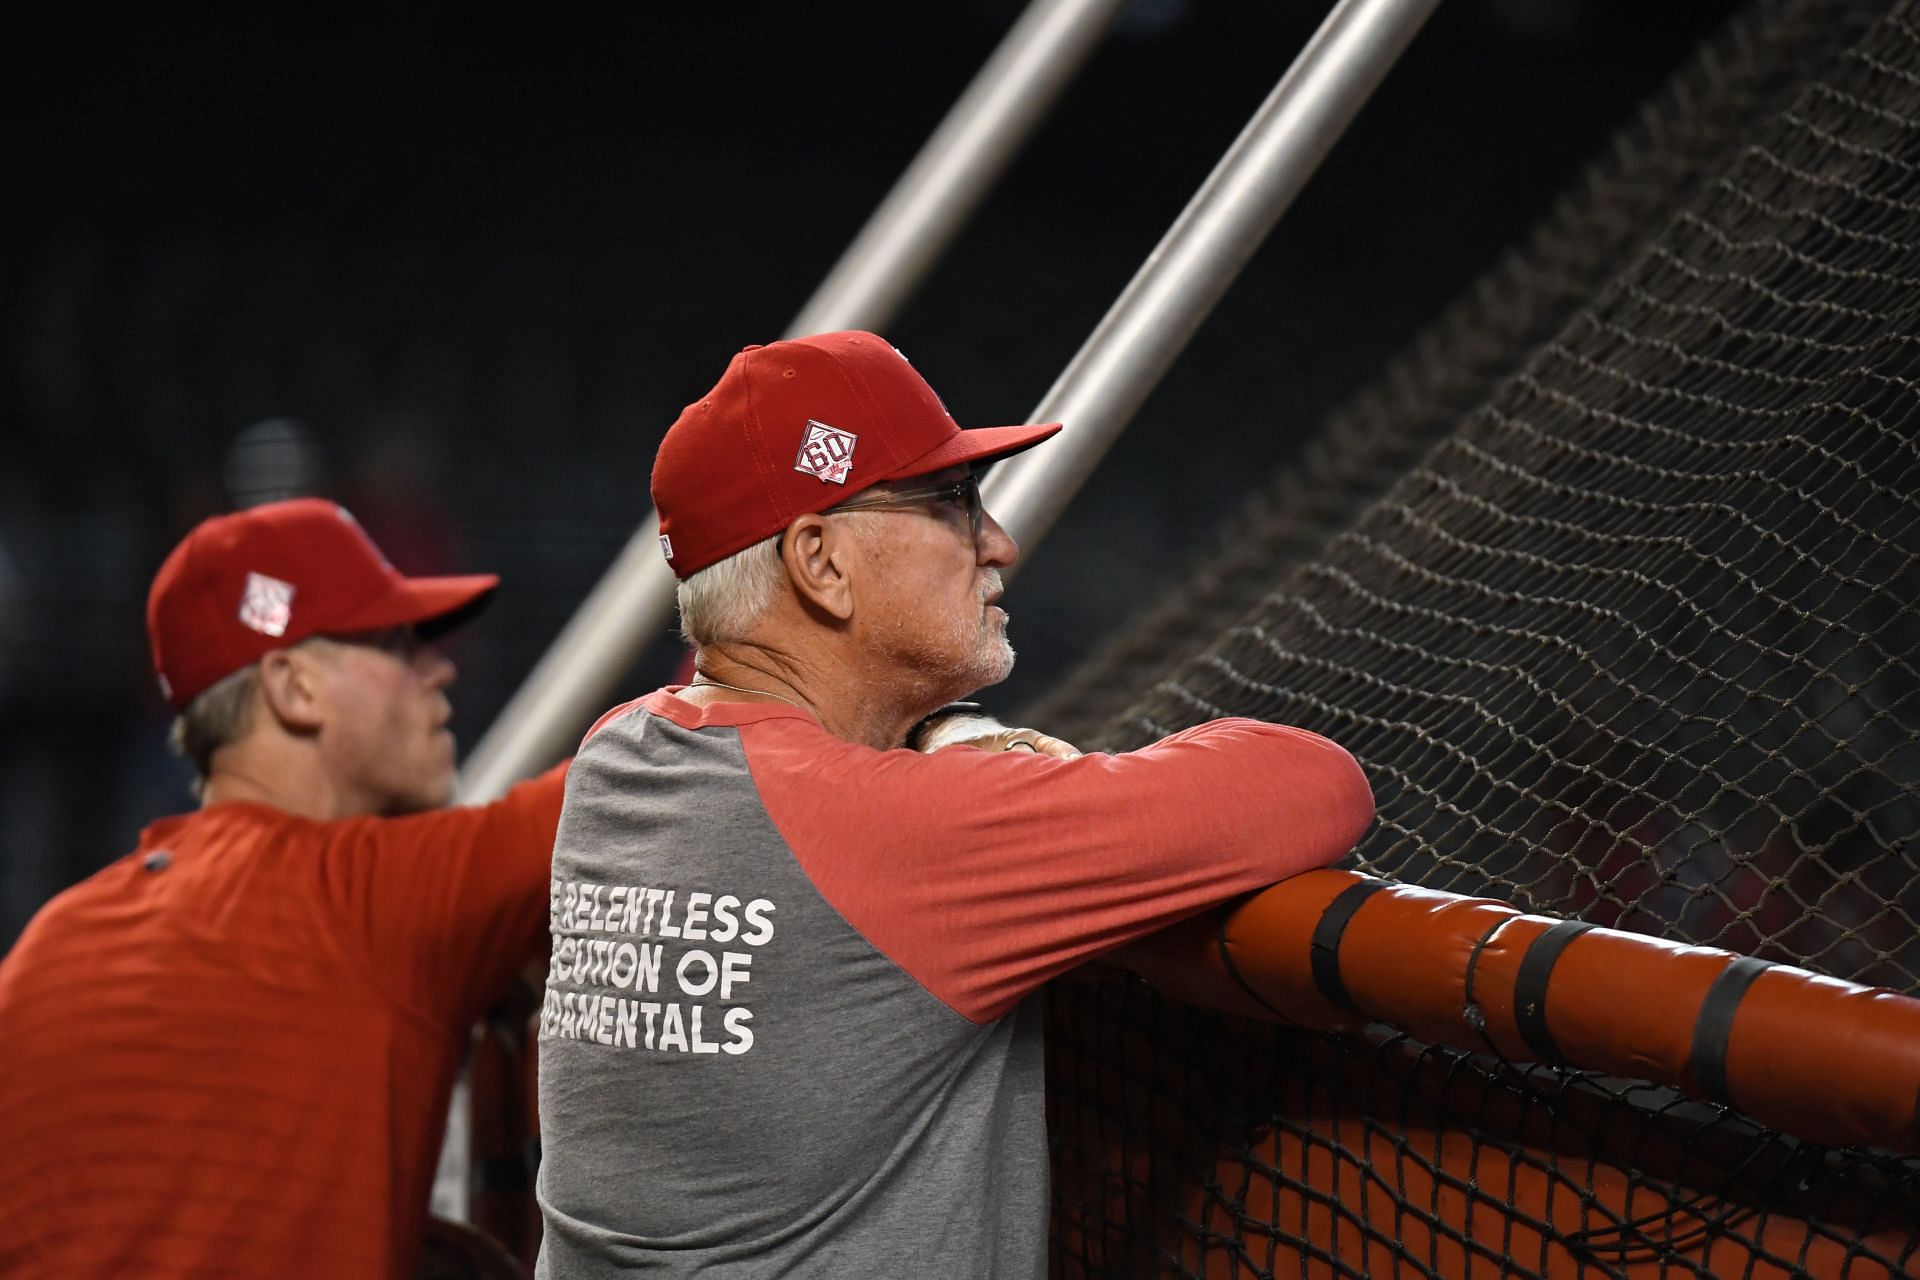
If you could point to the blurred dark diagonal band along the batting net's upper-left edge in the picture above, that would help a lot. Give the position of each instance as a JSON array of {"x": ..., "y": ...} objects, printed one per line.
[{"x": 1660, "y": 158}]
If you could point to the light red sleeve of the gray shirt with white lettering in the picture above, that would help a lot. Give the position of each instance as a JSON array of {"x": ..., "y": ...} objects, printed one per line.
[{"x": 988, "y": 874}]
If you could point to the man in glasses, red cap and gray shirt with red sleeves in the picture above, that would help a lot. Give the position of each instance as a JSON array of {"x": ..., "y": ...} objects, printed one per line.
[{"x": 786, "y": 1030}]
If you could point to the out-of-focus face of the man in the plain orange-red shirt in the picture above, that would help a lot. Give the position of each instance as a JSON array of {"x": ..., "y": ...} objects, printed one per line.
[{"x": 385, "y": 734}]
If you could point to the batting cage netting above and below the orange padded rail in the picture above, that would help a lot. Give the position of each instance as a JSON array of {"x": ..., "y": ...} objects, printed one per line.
[{"x": 1614, "y": 588}]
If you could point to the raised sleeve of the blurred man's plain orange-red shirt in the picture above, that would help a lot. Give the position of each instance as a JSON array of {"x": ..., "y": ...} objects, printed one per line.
[{"x": 454, "y": 903}]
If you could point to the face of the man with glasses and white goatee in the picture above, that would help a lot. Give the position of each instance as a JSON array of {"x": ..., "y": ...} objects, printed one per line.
[{"x": 930, "y": 605}]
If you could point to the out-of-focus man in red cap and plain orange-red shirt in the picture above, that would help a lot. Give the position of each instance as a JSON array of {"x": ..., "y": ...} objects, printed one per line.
[{"x": 231, "y": 1051}]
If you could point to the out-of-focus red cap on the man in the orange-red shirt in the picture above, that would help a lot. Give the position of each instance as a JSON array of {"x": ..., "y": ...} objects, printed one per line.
[{"x": 264, "y": 579}]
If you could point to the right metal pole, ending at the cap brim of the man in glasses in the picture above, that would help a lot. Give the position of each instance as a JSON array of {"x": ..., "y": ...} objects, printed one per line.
[{"x": 1201, "y": 256}]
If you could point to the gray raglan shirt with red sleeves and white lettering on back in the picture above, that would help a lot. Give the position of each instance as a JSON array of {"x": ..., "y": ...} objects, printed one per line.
[{"x": 786, "y": 1028}]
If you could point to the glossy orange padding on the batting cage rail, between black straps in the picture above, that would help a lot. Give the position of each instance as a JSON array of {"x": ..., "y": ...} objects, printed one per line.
[{"x": 1813, "y": 1056}]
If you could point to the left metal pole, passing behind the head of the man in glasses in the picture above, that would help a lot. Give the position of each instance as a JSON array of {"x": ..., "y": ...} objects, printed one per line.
[{"x": 635, "y": 600}]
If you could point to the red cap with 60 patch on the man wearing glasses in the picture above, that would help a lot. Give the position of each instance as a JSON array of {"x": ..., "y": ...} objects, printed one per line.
[{"x": 798, "y": 427}]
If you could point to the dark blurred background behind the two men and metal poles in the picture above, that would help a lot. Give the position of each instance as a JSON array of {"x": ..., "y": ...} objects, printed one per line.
[{"x": 469, "y": 266}]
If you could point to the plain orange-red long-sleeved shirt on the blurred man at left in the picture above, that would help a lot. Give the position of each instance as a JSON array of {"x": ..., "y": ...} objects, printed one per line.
[{"x": 229, "y": 1055}]
